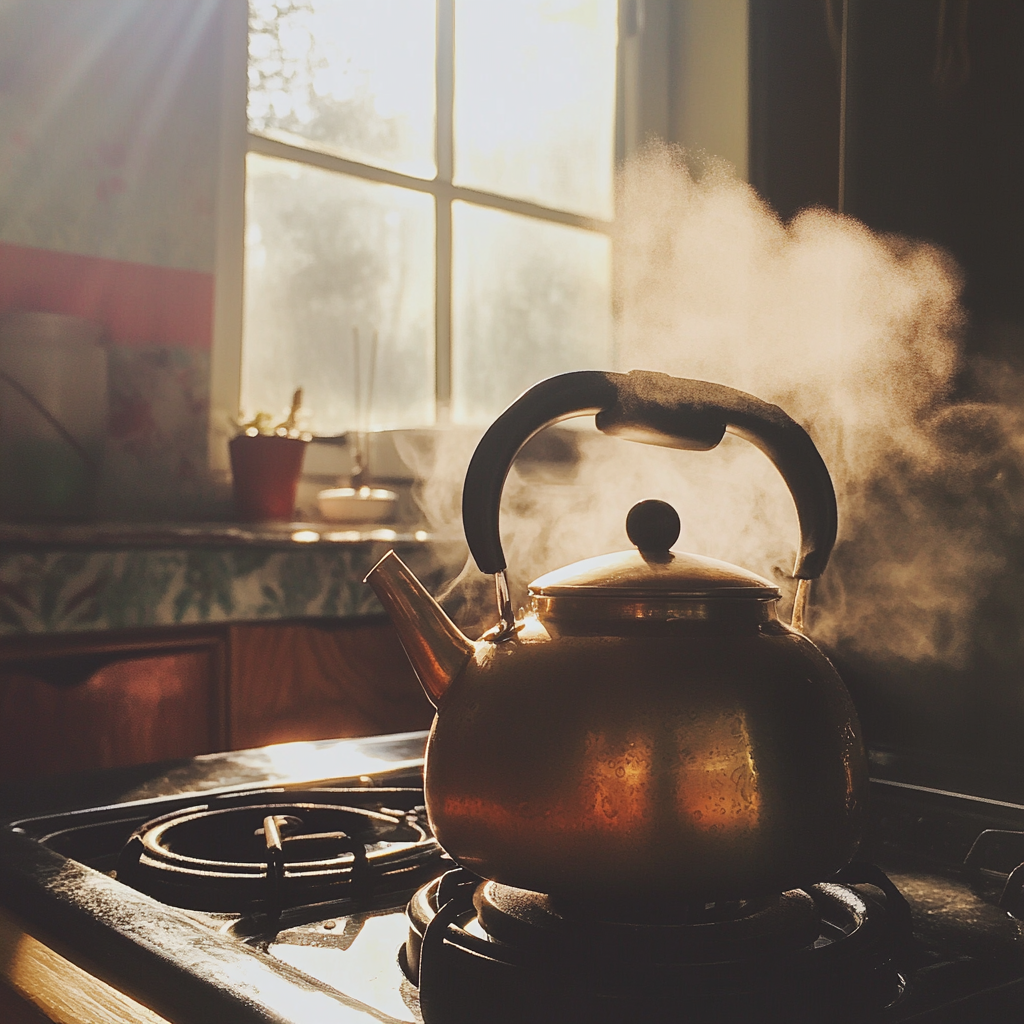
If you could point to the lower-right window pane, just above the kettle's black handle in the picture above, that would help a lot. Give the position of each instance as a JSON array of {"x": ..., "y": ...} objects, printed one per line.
[{"x": 531, "y": 300}]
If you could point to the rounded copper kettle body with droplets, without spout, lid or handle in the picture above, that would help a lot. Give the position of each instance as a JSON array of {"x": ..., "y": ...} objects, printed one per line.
[{"x": 702, "y": 766}]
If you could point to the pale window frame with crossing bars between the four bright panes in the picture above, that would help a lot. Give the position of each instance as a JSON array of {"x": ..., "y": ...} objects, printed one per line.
[{"x": 655, "y": 36}]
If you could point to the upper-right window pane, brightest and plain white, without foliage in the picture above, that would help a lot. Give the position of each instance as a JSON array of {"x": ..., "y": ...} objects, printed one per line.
[{"x": 535, "y": 101}]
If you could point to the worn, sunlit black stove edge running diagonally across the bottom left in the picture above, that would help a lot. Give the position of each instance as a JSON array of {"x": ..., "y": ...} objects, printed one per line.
[{"x": 161, "y": 957}]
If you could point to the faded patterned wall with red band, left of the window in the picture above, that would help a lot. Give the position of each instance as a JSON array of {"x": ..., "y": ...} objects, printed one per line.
[{"x": 109, "y": 162}]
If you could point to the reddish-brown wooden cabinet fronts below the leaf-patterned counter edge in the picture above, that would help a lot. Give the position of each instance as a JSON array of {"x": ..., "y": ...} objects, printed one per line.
[{"x": 76, "y": 703}]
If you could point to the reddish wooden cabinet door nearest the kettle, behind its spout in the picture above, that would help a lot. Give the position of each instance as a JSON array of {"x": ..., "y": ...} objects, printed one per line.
[{"x": 306, "y": 681}]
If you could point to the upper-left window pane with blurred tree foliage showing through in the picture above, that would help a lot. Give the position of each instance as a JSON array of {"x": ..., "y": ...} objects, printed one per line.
[{"x": 355, "y": 78}]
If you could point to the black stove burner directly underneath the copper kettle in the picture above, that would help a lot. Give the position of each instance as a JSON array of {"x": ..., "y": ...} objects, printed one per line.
[{"x": 482, "y": 950}]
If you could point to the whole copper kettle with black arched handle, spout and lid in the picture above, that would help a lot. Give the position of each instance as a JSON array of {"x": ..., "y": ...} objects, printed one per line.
[{"x": 650, "y": 728}]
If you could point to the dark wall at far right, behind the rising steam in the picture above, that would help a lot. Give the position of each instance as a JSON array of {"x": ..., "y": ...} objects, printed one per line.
[{"x": 933, "y": 148}]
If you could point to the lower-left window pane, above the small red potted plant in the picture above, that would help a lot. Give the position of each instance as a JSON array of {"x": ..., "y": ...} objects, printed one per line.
[{"x": 326, "y": 253}]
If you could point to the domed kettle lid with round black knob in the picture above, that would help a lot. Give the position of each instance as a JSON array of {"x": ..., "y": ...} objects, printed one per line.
[{"x": 653, "y": 572}]
